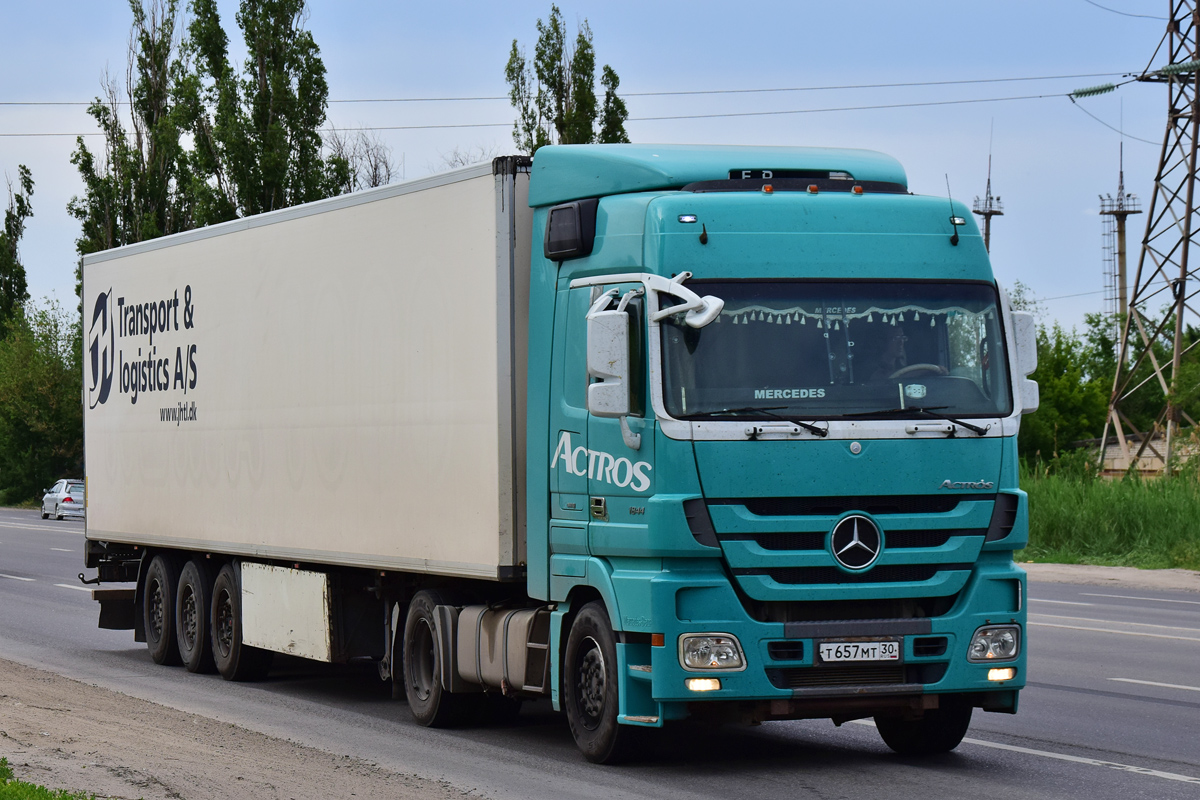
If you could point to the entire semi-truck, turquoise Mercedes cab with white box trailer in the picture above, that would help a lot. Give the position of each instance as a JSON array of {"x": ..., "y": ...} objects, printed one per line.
[{"x": 652, "y": 432}]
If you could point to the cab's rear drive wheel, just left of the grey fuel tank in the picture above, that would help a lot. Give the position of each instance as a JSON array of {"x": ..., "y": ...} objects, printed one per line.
[{"x": 431, "y": 705}]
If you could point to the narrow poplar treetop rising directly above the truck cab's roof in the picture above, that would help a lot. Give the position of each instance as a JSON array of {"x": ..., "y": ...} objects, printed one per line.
[{"x": 555, "y": 98}]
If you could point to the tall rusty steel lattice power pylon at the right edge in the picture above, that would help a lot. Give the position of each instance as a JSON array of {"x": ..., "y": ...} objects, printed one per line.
[{"x": 1165, "y": 286}]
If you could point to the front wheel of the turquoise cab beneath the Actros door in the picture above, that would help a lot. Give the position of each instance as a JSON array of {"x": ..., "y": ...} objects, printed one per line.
[{"x": 591, "y": 687}]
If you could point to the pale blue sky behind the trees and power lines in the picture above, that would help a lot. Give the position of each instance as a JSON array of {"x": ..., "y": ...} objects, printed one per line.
[{"x": 1051, "y": 160}]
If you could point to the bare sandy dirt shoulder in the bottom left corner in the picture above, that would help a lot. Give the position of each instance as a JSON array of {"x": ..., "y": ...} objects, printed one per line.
[{"x": 65, "y": 735}]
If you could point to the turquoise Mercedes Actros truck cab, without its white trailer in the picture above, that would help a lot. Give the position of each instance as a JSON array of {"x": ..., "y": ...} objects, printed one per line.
[{"x": 773, "y": 405}]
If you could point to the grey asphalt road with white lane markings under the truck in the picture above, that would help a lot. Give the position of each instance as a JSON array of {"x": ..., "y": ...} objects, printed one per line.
[{"x": 1112, "y": 711}]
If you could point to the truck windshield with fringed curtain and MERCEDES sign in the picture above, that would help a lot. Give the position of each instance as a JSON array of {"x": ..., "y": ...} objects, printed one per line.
[{"x": 830, "y": 350}]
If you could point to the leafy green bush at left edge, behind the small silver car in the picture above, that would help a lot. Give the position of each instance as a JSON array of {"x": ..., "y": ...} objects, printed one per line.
[{"x": 41, "y": 417}]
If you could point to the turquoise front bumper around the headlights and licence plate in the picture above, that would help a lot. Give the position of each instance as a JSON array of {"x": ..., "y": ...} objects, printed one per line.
[{"x": 784, "y": 671}]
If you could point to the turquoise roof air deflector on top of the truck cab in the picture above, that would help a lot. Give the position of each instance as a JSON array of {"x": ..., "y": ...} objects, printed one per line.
[{"x": 566, "y": 173}]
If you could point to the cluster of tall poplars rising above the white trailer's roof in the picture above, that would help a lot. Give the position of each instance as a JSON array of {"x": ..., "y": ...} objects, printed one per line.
[{"x": 205, "y": 142}]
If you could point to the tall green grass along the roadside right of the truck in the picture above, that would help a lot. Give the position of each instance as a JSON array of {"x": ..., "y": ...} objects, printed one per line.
[{"x": 1077, "y": 518}]
